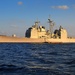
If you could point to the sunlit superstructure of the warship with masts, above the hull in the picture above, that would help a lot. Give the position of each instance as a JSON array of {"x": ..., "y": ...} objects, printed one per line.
[{"x": 40, "y": 31}]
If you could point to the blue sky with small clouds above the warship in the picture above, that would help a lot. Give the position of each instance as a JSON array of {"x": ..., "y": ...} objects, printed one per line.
[{"x": 16, "y": 16}]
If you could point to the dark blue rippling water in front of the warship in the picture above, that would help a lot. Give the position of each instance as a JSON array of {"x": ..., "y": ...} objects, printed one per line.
[{"x": 37, "y": 59}]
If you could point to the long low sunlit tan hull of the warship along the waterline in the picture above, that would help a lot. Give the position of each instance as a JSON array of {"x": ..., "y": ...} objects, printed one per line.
[{"x": 9, "y": 39}]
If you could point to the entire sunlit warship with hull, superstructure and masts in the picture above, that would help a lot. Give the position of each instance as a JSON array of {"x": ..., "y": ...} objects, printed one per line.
[{"x": 39, "y": 34}]
